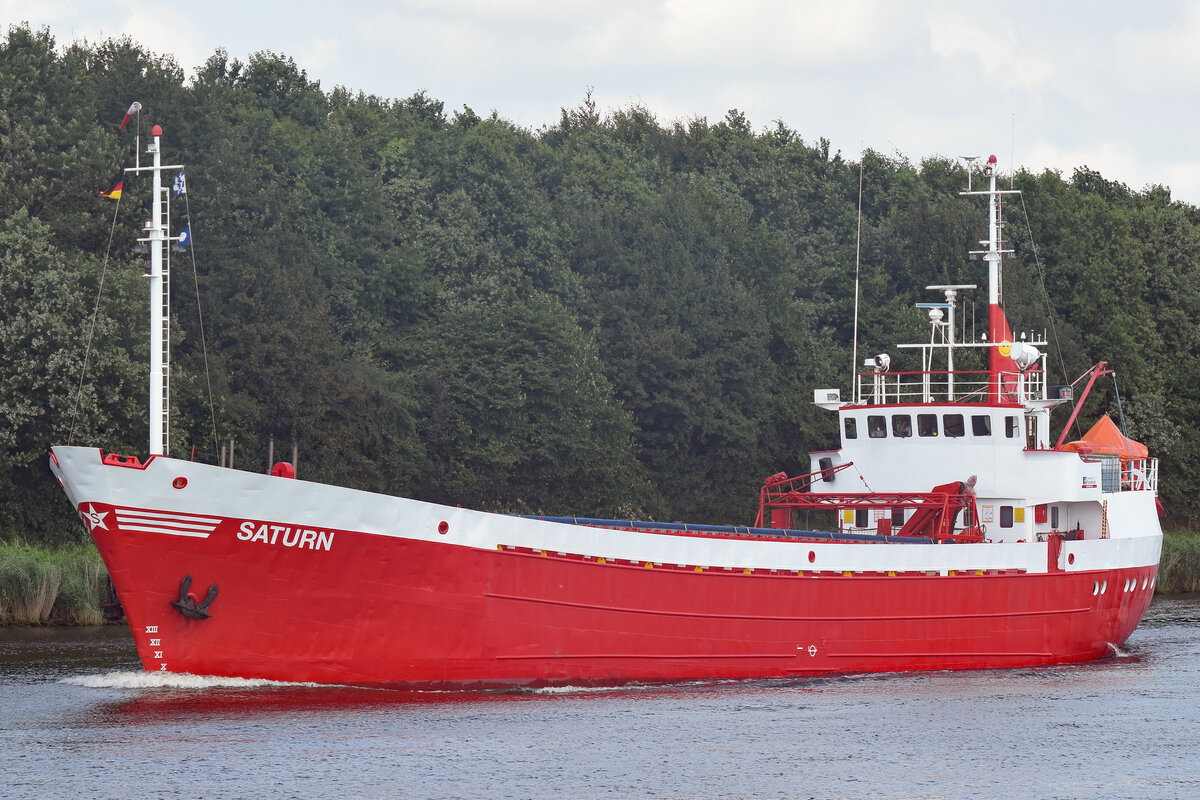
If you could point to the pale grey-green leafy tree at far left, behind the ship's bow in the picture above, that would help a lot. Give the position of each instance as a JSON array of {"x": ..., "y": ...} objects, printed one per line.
[{"x": 46, "y": 399}]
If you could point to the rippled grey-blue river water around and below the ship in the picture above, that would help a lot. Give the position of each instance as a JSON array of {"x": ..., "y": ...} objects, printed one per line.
[{"x": 79, "y": 719}]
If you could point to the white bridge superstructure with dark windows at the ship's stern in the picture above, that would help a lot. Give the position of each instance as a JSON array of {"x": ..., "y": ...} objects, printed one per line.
[{"x": 911, "y": 430}]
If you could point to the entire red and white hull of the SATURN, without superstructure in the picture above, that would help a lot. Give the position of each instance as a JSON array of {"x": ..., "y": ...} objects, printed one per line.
[{"x": 485, "y": 604}]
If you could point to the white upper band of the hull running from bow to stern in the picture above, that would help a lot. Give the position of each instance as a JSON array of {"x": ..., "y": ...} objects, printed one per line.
[{"x": 213, "y": 494}]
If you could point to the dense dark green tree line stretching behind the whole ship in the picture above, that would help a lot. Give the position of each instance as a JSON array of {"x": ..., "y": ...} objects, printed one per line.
[{"x": 610, "y": 316}]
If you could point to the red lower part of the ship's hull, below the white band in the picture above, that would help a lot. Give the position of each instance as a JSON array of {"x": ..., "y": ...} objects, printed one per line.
[{"x": 394, "y": 611}]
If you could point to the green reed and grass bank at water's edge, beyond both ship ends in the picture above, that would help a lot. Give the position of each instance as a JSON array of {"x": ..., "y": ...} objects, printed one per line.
[{"x": 67, "y": 586}]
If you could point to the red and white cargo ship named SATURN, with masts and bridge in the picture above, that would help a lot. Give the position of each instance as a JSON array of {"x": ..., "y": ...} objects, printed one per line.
[{"x": 956, "y": 536}]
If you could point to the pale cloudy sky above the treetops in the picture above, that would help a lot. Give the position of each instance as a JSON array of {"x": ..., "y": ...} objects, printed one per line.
[{"x": 1043, "y": 85}]
